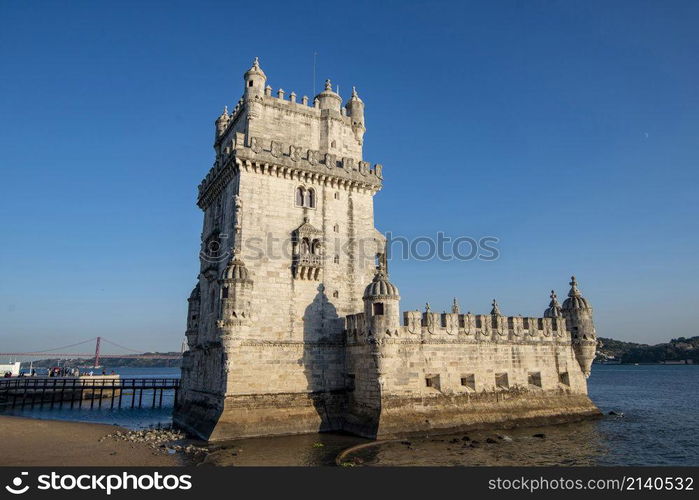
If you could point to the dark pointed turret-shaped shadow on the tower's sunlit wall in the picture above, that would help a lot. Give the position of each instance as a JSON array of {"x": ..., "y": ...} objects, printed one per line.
[{"x": 323, "y": 360}]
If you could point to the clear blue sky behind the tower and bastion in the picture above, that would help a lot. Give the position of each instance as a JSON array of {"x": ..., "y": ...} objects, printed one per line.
[{"x": 568, "y": 130}]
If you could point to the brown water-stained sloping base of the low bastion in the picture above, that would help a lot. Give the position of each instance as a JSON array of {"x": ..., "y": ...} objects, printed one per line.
[{"x": 402, "y": 416}]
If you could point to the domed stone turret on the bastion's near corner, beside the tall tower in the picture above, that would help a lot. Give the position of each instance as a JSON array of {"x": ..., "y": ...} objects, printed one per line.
[{"x": 381, "y": 305}]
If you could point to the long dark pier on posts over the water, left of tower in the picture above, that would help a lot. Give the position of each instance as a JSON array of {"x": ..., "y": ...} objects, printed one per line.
[{"x": 72, "y": 392}]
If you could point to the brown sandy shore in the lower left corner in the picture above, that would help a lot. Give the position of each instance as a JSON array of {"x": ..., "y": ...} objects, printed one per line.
[{"x": 30, "y": 442}]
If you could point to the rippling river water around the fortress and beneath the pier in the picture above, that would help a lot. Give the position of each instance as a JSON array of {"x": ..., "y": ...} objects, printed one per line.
[{"x": 660, "y": 426}]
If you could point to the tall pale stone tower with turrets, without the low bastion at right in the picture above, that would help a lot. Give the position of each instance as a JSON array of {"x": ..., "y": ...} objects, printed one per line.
[{"x": 288, "y": 246}]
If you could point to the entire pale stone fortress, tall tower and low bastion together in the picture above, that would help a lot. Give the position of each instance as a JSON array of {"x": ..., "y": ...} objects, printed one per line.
[{"x": 293, "y": 327}]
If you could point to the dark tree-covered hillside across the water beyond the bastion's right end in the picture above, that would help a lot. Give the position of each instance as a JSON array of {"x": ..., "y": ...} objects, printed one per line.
[{"x": 678, "y": 349}]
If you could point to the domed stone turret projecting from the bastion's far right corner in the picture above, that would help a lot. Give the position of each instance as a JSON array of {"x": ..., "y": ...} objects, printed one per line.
[{"x": 578, "y": 314}]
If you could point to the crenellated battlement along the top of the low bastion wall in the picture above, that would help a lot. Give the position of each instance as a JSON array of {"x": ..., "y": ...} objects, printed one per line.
[{"x": 457, "y": 327}]
